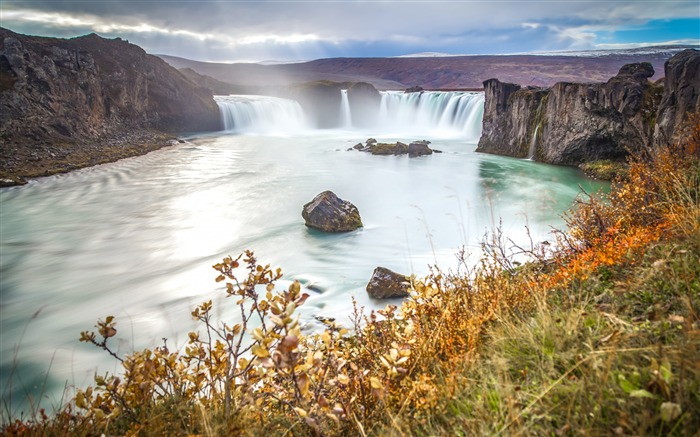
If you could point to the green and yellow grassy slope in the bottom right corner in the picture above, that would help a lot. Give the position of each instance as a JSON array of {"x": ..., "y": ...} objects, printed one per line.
[{"x": 614, "y": 353}]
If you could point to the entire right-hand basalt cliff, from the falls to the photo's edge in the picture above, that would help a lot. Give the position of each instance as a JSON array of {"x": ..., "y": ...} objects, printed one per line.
[{"x": 572, "y": 123}]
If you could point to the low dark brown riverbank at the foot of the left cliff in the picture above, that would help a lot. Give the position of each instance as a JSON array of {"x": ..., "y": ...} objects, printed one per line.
[{"x": 23, "y": 162}]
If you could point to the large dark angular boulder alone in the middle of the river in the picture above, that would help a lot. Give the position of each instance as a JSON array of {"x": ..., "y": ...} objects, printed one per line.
[{"x": 328, "y": 213}]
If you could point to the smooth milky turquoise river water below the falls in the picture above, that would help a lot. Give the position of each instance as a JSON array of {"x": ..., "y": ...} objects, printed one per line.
[{"x": 136, "y": 239}]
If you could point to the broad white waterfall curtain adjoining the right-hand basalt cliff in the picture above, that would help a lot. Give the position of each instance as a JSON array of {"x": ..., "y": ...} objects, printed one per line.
[{"x": 435, "y": 112}]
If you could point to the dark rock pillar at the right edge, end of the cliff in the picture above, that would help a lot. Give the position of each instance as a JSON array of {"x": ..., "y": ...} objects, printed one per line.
[{"x": 681, "y": 95}]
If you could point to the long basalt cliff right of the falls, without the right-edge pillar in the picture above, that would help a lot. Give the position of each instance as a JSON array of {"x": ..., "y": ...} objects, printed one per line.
[{"x": 570, "y": 123}]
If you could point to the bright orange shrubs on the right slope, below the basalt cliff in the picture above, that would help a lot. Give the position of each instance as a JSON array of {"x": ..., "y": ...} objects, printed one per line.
[{"x": 656, "y": 197}]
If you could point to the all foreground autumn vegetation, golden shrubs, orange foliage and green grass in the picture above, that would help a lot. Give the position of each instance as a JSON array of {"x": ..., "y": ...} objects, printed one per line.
[{"x": 596, "y": 334}]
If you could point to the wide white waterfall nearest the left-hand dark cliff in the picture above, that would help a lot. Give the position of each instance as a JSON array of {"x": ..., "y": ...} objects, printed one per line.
[{"x": 260, "y": 114}]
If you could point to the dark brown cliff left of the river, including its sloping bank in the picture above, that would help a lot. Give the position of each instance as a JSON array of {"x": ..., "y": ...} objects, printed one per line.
[{"x": 64, "y": 102}]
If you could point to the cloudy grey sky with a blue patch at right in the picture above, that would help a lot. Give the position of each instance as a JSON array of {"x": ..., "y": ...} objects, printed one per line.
[{"x": 293, "y": 30}]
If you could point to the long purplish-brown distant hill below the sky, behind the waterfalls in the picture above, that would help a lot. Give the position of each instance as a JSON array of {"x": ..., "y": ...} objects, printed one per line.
[{"x": 439, "y": 72}]
